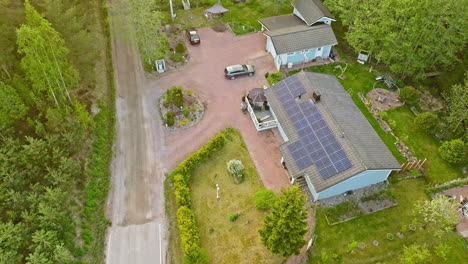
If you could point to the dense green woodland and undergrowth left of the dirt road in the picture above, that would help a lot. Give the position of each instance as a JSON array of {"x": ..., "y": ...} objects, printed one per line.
[{"x": 50, "y": 211}]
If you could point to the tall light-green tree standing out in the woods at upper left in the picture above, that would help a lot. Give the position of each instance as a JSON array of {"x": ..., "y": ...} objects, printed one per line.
[{"x": 45, "y": 58}]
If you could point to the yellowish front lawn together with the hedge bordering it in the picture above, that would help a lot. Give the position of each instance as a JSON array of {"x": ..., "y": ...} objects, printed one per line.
[{"x": 232, "y": 218}]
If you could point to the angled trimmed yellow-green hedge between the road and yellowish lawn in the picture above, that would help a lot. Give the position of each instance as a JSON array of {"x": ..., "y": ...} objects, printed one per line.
[{"x": 189, "y": 235}]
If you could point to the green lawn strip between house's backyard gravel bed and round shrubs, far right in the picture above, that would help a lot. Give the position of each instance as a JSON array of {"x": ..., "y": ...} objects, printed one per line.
[{"x": 422, "y": 145}]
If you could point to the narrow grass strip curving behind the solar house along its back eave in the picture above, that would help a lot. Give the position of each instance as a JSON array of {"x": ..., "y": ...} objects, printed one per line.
[{"x": 359, "y": 80}]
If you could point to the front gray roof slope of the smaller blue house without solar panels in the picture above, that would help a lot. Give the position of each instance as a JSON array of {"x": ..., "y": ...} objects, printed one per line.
[{"x": 301, "y": 37}]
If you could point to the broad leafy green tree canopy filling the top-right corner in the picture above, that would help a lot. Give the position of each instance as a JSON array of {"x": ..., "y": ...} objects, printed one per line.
[{"x": 411, "y": 36}]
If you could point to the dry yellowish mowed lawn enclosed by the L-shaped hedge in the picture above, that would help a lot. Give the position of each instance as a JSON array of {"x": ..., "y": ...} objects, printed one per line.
[{"x": 226, "y": 241}]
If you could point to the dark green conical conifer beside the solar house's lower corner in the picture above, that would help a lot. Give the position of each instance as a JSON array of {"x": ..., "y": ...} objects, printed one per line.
[{"x": 284, "y": 228}]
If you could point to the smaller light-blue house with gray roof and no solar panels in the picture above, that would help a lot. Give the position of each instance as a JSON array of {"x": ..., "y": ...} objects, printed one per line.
[{"x": 300, "y": 37}]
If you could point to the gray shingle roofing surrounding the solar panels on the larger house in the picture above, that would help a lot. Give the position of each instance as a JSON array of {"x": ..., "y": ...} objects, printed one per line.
[{"x": 362, "y": 145}]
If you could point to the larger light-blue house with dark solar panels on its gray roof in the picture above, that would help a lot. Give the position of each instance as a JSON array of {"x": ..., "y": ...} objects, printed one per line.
[{"x": 327, "y": 141}]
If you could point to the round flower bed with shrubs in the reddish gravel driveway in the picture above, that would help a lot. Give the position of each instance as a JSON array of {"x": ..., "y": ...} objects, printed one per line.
[{"x": 180, "y": 108}]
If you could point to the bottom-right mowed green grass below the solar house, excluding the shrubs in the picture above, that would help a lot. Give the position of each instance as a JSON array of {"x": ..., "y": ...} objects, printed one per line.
[{"x": 366, "y": 228}]
